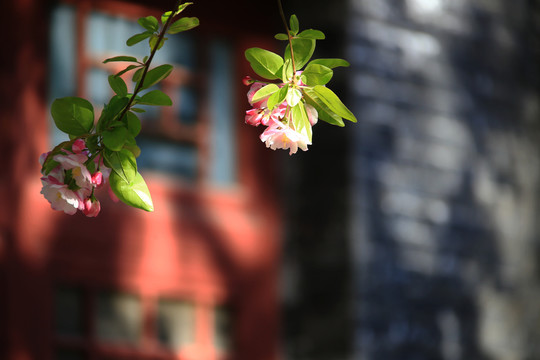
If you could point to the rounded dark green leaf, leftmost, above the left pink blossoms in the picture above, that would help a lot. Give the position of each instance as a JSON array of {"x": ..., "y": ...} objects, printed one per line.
[{"x": 73, "y": 115}]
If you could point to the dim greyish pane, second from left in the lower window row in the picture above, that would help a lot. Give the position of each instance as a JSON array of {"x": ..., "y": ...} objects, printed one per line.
[{"x": 118, "y": 318}]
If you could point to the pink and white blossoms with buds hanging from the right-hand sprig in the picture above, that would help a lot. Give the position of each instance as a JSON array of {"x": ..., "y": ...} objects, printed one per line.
[{"x": 280, "y": 132}]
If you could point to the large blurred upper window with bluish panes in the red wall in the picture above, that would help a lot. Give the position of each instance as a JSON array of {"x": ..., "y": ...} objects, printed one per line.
[{"x": 194, "y": 138}]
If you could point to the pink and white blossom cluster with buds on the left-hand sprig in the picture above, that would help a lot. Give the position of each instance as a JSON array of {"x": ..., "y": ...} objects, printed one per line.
[{"x": 70, "y": 185}]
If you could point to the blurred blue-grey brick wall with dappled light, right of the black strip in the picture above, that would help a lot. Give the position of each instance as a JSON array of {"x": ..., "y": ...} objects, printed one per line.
[{"x": 447, "y": 181}]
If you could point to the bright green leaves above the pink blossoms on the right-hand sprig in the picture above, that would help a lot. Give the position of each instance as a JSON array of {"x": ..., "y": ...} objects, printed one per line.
[{"x": 304, "y": 80}]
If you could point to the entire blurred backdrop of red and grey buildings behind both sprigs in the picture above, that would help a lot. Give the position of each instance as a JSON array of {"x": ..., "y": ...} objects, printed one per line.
[{"x": 410, "y": 235}]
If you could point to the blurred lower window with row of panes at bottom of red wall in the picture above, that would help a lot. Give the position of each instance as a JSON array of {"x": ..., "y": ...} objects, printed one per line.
[{"x": 106, "y": 324}]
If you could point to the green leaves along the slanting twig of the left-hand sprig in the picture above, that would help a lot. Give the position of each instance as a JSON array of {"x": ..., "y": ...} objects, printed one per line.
[{"x": 113, "y": 135}]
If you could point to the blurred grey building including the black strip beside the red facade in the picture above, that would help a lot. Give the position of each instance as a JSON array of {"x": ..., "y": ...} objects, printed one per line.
[{"x": 413, "y": 235}]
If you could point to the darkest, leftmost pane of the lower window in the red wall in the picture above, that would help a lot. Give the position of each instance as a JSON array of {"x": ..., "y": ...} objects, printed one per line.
[{"x": 68, "y": 312}]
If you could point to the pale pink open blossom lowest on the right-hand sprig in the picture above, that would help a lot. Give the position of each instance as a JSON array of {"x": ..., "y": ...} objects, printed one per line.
[{"x": 281, "y": 136}]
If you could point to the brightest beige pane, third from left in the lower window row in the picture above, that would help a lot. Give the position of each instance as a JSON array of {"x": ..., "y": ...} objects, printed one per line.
[{"x": 176, "y": 323}]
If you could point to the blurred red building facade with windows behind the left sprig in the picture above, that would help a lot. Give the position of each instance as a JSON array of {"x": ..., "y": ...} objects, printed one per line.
[{"x": 196, "y": 279}]
